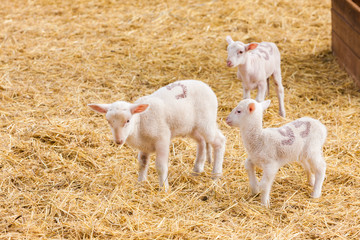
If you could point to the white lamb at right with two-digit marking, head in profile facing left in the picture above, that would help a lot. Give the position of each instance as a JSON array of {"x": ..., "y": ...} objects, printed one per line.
[{"x": 271, "y": 148}]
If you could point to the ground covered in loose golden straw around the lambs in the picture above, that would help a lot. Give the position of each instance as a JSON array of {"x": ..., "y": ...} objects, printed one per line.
[{"x": 62, "y": 177}]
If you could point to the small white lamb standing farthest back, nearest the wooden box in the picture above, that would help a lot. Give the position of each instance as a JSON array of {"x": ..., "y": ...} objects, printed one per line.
[{"x": 256, "y": 63}]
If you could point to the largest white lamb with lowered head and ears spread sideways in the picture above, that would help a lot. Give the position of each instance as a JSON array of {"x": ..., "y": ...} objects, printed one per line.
[{"x": 182, "y": 108}]
